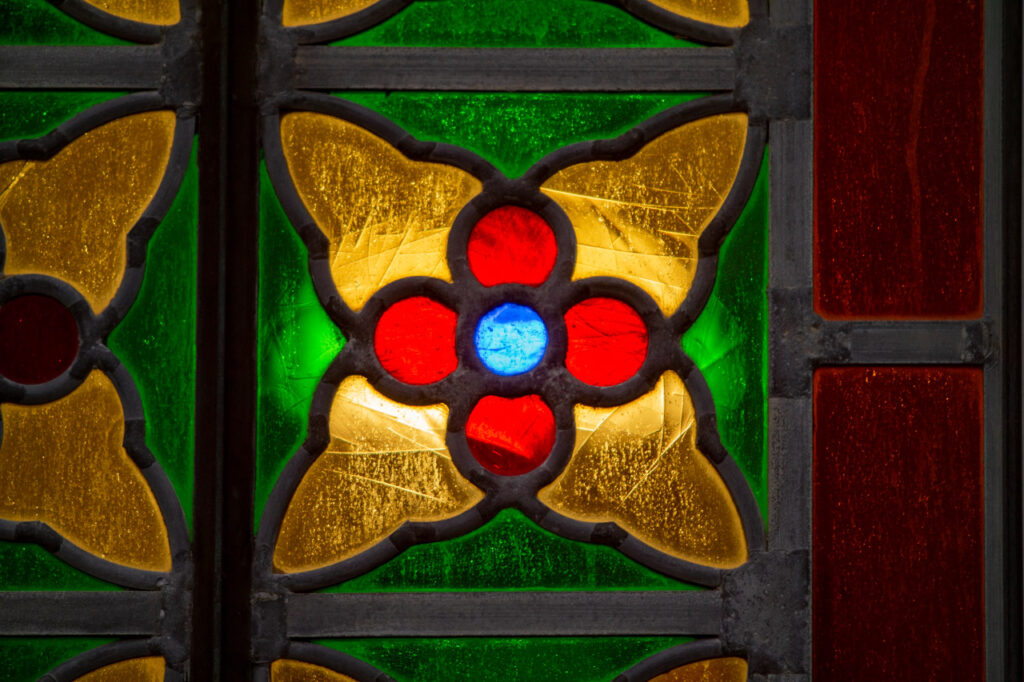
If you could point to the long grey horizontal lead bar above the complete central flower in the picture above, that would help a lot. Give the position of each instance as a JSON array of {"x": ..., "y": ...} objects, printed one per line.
[{"x": 583, "y": 70}]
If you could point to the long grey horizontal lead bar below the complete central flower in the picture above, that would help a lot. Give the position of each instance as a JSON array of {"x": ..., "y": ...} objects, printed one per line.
[{"x": 504, "y": 614}]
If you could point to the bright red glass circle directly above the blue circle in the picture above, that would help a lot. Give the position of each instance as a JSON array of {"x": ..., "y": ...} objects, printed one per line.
[{"x": 511, "y": 245}]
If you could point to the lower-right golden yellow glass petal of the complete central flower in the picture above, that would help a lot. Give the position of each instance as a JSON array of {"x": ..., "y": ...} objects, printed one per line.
[{"x": 638, "y": 465}]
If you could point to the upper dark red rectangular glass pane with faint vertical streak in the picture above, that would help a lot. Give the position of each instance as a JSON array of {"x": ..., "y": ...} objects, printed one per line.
[{"x": 899, "y": 159}]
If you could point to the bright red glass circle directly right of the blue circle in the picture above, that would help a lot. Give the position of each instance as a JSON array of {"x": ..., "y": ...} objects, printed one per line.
[{"x": 608, "y": 342}]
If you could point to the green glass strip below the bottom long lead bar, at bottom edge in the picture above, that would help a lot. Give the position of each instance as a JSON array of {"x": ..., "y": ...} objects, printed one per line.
[{"x": 494, "y": 660}]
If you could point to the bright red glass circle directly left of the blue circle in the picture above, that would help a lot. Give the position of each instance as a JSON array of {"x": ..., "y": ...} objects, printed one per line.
[{"x": 415, "y": 340}]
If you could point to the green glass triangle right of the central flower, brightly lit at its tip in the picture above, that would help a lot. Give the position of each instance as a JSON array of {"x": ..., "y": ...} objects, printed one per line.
[{"x": 730, "y": 340}]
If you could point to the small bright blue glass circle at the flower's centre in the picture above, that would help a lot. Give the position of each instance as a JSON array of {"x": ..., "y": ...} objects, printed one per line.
[{"x": 511, "y": 339}]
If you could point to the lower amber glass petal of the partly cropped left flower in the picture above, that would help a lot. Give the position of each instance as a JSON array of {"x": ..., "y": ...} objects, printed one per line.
[{"x": 64, "y": 463}]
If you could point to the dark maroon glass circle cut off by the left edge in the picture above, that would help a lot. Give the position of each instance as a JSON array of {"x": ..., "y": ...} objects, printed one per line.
[{"x": 38, "y": 339}]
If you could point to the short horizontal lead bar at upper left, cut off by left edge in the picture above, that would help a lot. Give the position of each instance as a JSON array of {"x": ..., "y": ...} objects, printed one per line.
[{"x": 67, "y": 67}]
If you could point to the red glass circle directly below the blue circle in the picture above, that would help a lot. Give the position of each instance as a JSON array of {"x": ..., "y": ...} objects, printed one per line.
[{"x": 511, "y": 437}]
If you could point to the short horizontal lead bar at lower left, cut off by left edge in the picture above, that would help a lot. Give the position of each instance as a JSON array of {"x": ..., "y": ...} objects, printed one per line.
[{"x": 115, "y": 614}]
